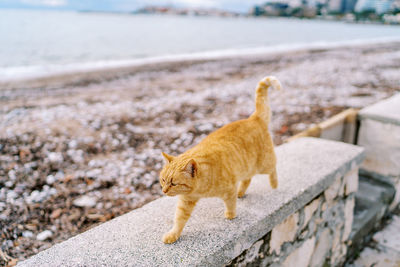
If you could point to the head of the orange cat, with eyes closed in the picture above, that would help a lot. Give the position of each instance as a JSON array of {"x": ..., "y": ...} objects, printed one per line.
[{"x": 178, "y": 176}]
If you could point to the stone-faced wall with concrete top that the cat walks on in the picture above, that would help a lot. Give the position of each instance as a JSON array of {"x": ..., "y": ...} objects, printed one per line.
[{"x": 306, "y": 220}]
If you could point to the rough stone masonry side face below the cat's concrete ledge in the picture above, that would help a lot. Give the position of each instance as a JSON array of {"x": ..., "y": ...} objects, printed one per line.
[{"x": 315, "y": 235}]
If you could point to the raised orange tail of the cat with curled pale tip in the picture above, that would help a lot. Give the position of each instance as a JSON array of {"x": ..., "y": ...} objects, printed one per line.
[{"x": 262, "y": 103}]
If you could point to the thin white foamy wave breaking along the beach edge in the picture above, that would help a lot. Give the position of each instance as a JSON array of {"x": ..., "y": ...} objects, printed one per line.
[{"x": 44, "y": 71}]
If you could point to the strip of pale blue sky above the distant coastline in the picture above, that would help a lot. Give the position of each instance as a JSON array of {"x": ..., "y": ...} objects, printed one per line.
[{"x": 127, "y": 5}]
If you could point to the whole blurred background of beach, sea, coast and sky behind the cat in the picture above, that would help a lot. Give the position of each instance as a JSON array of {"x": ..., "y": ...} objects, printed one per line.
[{"x": 92, "y": 91}]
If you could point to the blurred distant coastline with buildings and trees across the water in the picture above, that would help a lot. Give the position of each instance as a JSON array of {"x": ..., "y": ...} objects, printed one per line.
[{"x": 357, "y": 11}]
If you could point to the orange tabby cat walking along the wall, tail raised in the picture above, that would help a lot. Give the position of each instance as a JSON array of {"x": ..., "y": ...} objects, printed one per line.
[{"x": 226, "y": 158}]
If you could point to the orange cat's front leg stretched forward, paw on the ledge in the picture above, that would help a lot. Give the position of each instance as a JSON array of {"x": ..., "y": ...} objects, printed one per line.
[{"x": 182, "y": 214}]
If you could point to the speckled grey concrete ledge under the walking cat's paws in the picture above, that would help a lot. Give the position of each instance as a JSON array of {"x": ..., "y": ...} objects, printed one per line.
[{"x": 306, "y": 167}]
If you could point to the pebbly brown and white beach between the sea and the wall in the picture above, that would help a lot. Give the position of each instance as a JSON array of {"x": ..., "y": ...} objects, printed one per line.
[{"x": 80, "y": 150}]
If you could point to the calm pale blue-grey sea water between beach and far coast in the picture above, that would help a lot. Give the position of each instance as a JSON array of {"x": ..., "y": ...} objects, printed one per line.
[{"x": 36, "y": 43}]
